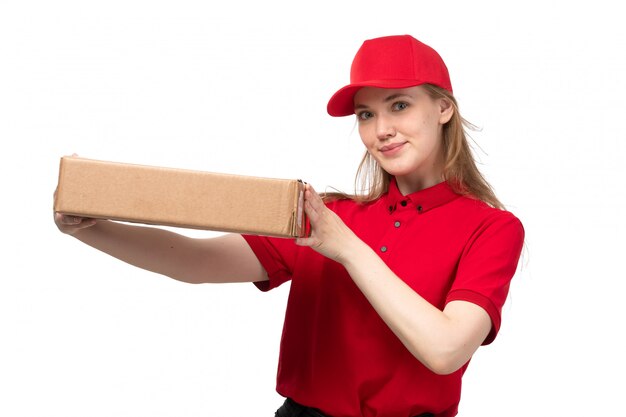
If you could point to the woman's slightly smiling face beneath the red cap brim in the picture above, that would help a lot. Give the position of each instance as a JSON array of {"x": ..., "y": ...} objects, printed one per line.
[{"x": 402, "y": 130}]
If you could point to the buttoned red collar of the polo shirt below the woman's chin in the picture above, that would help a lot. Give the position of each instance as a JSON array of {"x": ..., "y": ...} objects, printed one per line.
[{"x": 421, "y": 201}]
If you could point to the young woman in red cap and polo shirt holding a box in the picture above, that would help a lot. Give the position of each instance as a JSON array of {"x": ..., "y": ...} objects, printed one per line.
[{"x": 396, "y": 287}]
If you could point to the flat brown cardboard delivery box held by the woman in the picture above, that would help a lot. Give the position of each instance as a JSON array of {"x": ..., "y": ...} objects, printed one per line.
[{"x": 181, "y": 198}]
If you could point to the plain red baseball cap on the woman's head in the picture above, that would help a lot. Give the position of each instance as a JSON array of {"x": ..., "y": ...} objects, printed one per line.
[{"x": 390, "y": 62}]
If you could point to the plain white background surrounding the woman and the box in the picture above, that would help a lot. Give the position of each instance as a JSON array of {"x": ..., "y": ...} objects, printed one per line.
[{"x": 241, "y": 87}]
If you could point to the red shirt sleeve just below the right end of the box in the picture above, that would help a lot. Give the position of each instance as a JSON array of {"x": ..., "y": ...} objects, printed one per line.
[{"x": 277, "y": 255}]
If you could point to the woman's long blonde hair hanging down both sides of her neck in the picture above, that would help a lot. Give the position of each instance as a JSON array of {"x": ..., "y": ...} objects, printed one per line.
[{"x": 460, "y": 170}]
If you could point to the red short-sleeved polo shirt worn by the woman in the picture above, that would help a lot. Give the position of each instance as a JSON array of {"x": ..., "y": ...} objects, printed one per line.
[{"x": 336, "y": 353}]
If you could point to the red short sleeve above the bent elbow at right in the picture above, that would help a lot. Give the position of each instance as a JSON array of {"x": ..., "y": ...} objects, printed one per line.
[{"x": 488, "y": 263}]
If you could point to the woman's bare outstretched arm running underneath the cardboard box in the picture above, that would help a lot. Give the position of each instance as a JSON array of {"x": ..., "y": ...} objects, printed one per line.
[{"x": 226, "y": 258}]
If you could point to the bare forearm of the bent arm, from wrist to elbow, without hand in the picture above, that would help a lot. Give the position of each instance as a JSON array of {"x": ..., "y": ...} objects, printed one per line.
[{"x": 433, "y": 336}]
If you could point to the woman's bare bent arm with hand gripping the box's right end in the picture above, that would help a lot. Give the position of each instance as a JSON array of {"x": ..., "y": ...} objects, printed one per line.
[{"x": 442, "y": 340}]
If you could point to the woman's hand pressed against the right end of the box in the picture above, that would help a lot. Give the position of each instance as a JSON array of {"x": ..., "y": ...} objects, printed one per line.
[{"x": 329, "y": 234}]
